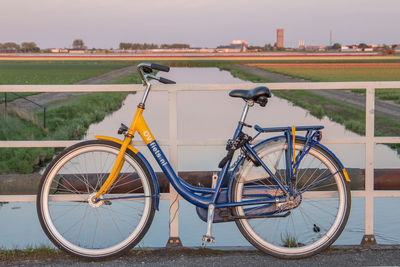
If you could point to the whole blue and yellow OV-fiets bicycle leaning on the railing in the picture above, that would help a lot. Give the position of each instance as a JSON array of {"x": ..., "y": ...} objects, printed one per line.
[{"x": 289, "y": 195}]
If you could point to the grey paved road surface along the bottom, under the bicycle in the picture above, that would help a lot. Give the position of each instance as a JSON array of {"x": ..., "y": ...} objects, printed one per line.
[{"x": 388, "y": 256}]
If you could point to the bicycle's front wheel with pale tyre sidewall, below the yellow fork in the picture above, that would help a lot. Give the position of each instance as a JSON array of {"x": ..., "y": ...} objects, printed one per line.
[{"x": 100, "y": 230}]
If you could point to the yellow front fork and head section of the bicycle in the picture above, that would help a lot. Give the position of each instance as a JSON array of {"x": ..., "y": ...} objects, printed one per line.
[{"x": 138, "y": 124}]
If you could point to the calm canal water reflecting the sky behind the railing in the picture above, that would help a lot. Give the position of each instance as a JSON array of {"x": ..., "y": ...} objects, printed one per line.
[{"x": 213, "y": 115}]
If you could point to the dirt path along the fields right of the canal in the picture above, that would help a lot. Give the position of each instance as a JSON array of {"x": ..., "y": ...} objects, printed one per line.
[{"x": 387, "y": 109}]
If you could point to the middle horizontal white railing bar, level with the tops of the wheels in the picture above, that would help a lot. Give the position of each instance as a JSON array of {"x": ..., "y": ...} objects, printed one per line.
[{"x": 200, "y": 142}]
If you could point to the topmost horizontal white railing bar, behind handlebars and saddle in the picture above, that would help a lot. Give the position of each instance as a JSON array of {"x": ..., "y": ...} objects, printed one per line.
[{"x": 199, "y": 87}]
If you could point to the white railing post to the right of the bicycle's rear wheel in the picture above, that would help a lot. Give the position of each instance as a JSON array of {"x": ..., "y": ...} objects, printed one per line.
[{"x": 369, "y": 237}]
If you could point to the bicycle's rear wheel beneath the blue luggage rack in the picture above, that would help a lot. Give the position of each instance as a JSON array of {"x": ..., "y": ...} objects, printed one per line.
[{"x": 305, "y": 225}]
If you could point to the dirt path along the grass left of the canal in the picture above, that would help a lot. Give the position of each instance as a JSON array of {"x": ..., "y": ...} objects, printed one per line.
[{"x": 44, "y": 99}]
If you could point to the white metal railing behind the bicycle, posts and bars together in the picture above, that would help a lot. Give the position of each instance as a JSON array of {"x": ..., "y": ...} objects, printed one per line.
[{"x": 369, "y": 140}]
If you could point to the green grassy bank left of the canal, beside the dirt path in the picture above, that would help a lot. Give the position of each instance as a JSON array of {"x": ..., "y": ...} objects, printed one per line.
[{"x": 66, "y": 121}]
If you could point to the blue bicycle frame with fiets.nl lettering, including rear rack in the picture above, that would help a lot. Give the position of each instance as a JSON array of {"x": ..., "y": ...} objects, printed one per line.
[{"x": 197, "y": 195}]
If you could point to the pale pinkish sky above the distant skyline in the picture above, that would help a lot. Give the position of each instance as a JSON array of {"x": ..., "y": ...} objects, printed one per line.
[{"x": 200, "y": 23}]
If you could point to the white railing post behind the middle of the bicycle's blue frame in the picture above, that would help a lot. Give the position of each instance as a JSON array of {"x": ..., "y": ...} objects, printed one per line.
[{"x": 174, "y": 240}]
